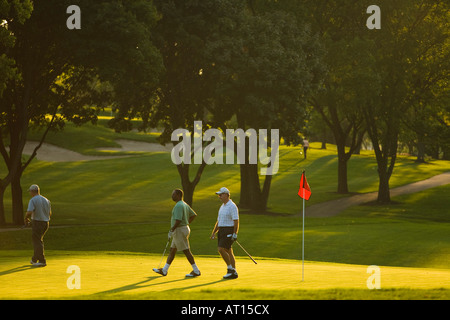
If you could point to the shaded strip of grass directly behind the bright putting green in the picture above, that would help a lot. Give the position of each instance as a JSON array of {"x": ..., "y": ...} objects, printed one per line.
[{"x": 361, "y": 235}]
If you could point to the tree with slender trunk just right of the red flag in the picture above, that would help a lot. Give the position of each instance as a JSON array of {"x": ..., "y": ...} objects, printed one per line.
[{"x": 343, "y": 94}]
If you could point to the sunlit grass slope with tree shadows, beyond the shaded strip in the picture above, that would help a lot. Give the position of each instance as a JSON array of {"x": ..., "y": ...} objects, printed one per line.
[{"x": 137, "y": 189}]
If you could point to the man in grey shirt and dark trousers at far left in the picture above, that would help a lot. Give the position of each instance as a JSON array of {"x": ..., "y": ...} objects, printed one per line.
[{"x": 39, "y": 212}]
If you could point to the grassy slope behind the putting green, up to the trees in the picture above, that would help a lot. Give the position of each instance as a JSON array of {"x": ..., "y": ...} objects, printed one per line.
[{"x": 106, "y": 194}]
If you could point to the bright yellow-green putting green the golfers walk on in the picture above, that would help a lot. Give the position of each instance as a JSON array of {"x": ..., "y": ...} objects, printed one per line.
[{"x": 123, "y": 275}]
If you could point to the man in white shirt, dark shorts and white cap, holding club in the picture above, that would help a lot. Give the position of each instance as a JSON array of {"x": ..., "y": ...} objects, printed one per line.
[{"x": 228, "y": 226}]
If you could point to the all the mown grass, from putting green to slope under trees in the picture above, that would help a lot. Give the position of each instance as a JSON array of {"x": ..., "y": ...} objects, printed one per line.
[{"x": 124, "y": 205}]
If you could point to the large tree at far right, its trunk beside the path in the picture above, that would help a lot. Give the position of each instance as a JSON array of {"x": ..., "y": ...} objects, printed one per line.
[{"x": 409, "y": 69}]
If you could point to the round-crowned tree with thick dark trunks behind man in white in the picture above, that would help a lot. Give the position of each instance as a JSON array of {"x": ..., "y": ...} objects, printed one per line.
[{"x": 265, "y": 66}]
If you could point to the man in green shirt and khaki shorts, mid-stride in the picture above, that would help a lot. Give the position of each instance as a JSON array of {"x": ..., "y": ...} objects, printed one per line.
[{"x": 182, "y": 216}]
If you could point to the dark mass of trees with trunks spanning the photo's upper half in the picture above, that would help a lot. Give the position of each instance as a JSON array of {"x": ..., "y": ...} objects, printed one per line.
[{"x": 230, "y": 64}]
